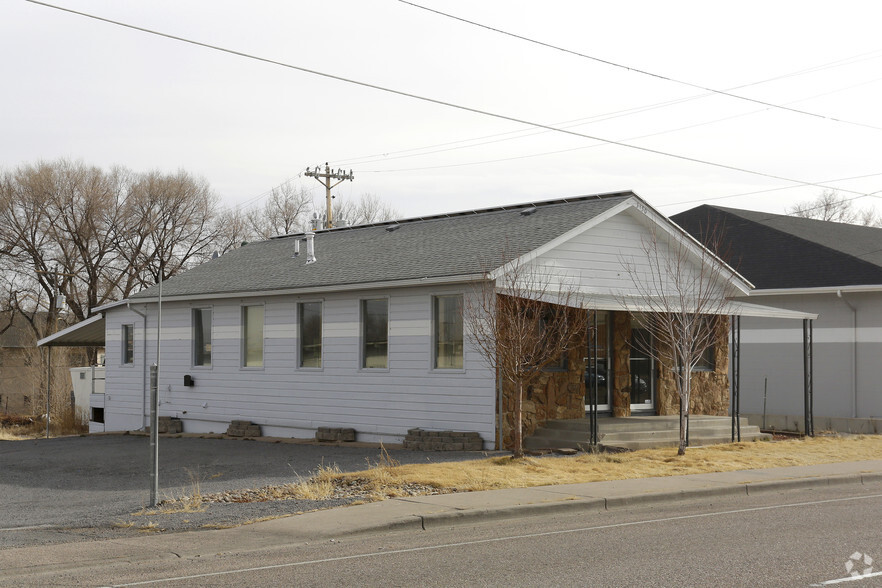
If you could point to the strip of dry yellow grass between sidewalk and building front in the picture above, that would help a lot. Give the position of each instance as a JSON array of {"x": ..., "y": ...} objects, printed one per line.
[{"x": 504, "y": 472}]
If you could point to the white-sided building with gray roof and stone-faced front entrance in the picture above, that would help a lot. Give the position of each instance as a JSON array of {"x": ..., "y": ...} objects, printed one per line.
[{"x": 362, "y": 327}]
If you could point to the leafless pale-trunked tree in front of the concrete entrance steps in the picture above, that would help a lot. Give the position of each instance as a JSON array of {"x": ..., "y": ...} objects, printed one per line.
[{"x": 680, "y": 293}]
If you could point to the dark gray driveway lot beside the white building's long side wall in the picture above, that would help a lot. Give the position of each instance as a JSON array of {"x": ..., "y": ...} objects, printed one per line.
[{"x": 74, "y": 488}]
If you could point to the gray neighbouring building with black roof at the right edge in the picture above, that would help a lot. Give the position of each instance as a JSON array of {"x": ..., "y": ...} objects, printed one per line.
[{"x": 831, "y": 269}]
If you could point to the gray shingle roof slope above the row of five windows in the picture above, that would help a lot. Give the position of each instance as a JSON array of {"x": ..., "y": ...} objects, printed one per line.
[{"x": 434, "y": 247}]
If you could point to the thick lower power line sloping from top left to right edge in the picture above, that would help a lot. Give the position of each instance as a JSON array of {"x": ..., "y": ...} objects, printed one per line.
[{"x": 432, "y": 100}]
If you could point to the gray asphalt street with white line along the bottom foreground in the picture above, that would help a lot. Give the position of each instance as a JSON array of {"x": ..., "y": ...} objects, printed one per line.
[{"x": 793, "y": 538}]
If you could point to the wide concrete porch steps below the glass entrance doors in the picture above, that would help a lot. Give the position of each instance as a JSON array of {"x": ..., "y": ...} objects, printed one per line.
[{"x": 638, "y": 432}]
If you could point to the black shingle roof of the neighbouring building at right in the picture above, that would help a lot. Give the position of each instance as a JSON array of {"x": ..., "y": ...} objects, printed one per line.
[{"x": 778, "y": 251}]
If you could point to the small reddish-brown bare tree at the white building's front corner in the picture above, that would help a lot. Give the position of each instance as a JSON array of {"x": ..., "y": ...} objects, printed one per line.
[{"x": 521, "y": 321}]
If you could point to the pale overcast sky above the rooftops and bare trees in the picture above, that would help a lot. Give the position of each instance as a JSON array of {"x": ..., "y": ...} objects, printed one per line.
[{"x": 78, "y": 88}]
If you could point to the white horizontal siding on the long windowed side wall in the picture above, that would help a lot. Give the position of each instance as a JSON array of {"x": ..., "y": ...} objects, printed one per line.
[{"x": 286, "y": 401}]
